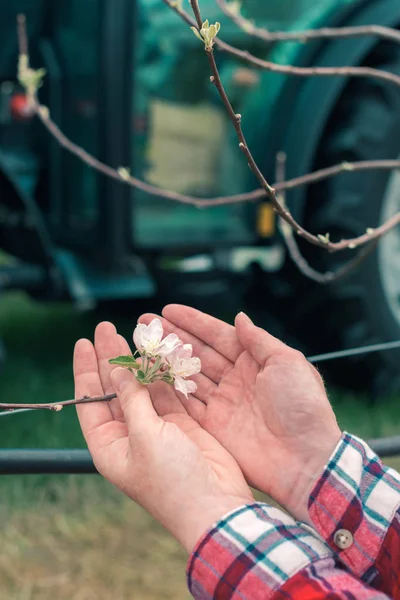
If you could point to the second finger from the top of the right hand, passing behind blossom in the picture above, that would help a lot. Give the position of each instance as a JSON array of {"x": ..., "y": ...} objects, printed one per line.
[{"x": 213, "y": 364}]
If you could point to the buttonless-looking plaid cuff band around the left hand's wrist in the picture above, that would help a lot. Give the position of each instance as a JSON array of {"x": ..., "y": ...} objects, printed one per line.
[{"x": 251, "y": 553}]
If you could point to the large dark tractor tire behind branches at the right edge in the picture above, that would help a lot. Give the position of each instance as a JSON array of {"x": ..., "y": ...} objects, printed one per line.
[{"x": 364, "y": 307}]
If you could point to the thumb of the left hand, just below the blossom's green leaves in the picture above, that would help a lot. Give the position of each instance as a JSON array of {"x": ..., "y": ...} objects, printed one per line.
[{"x": 135, "y": 402}]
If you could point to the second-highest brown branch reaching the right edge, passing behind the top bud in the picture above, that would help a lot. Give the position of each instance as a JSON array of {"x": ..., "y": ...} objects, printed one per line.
[{"x": 266, "y": 65}]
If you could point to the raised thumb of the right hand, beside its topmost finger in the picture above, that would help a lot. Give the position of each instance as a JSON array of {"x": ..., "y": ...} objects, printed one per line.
[{"x": 259, "y": 343}]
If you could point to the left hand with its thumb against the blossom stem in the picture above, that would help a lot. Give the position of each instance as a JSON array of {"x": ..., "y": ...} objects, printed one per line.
[{"x": 167, "y": 463}]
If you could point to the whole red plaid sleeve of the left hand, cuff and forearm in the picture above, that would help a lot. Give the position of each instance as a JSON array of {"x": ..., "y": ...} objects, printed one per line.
[{"x": 259, "y": 553}]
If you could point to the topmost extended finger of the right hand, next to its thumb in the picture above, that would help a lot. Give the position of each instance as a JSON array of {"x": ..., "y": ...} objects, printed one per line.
[{"x": 215, "y": 333}]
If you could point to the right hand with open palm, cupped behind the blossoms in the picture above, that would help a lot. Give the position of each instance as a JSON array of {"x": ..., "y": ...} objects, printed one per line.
[{"x": 261, "y": 400}]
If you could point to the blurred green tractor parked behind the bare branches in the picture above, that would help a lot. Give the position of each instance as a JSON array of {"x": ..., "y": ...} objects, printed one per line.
[{"x": 128, "y": 81}]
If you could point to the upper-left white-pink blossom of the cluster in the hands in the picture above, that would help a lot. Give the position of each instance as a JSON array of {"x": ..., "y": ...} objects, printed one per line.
[{"x": 148, "y": 339}]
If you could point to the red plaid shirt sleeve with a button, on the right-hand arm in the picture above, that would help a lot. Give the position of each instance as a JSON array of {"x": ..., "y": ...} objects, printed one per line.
[{"x": 358, "y": 494}]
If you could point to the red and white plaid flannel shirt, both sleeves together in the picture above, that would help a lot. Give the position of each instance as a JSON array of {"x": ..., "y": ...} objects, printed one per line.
[{"x": 258, "y": 552}]
